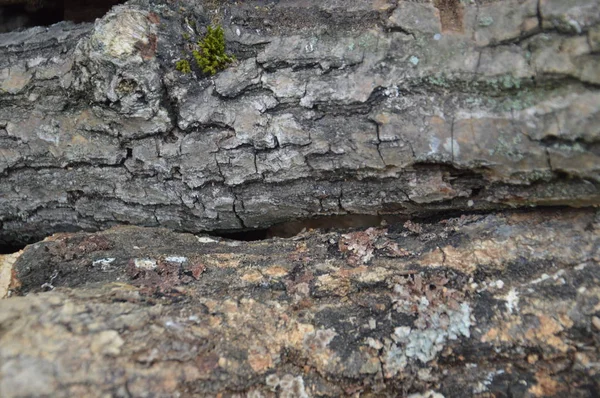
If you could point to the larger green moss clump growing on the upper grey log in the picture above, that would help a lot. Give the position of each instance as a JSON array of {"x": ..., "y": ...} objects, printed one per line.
[{"x": 211, "y": 57}]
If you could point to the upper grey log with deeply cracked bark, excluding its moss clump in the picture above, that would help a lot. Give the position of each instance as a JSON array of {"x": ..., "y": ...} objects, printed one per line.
[{"x": 334, "y": 107}]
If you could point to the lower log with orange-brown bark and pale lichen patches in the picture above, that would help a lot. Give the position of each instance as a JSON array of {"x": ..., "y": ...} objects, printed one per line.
[{"x": 503, "y": 305}]
